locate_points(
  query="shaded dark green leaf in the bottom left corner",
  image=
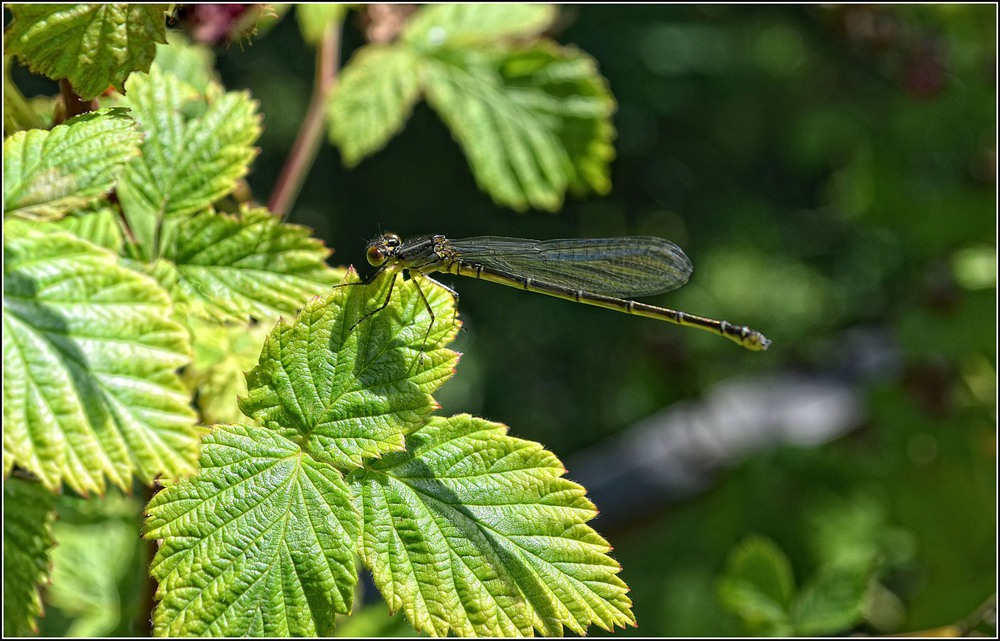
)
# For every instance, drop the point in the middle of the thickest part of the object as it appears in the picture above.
(29, 510)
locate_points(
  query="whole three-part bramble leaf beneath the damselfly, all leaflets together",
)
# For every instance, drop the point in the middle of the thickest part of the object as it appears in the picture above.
(468, 531)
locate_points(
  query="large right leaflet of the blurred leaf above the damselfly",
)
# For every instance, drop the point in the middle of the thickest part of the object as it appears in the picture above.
(533, 123)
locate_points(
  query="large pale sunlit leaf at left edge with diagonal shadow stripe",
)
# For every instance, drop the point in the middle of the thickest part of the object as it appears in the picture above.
(90, 357)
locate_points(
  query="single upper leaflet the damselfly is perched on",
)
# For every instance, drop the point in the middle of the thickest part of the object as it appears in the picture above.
(354, 387)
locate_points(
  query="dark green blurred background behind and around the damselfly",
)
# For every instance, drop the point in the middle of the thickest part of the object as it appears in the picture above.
(831, 172)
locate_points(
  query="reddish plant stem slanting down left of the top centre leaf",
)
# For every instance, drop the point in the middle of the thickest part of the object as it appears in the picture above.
(303, 153)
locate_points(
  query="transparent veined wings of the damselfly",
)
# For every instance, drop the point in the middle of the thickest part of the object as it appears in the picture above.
(621, 267)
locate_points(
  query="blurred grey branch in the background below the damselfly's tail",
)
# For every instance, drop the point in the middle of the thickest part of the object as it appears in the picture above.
(678, 452)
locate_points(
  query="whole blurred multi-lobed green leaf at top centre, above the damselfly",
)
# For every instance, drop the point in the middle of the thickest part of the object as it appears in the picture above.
(534, 119)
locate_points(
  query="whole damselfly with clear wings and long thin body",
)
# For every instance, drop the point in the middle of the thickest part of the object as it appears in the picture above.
(605, 272)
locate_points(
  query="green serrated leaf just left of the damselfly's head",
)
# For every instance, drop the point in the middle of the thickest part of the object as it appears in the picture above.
(251, 265)
